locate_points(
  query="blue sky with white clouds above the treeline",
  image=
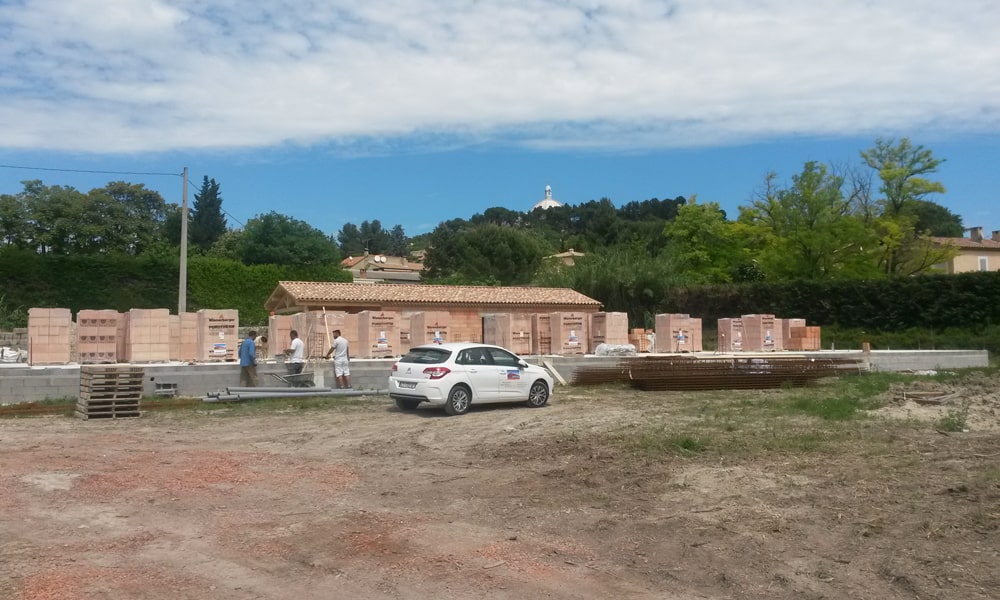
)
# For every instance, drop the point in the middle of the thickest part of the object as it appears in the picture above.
(420, 111)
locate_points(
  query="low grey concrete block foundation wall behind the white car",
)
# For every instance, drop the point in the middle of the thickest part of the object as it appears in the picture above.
(22, 383)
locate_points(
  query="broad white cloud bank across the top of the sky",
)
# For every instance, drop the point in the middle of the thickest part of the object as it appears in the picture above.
(141, 75)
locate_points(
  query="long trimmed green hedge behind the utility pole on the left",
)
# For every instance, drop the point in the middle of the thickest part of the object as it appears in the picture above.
(125, 282)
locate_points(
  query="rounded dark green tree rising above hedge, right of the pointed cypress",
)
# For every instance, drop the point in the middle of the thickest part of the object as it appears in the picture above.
(277, 239)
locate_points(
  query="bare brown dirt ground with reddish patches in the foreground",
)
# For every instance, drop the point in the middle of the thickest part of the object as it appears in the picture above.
(364, 501)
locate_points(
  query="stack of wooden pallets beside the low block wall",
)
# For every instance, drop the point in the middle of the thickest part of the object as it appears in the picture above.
(109, 392)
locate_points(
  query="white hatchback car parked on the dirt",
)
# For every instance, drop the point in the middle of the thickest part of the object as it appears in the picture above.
(457, 375)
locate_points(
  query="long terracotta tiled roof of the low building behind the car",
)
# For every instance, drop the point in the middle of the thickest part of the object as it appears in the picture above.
(307, 292)
